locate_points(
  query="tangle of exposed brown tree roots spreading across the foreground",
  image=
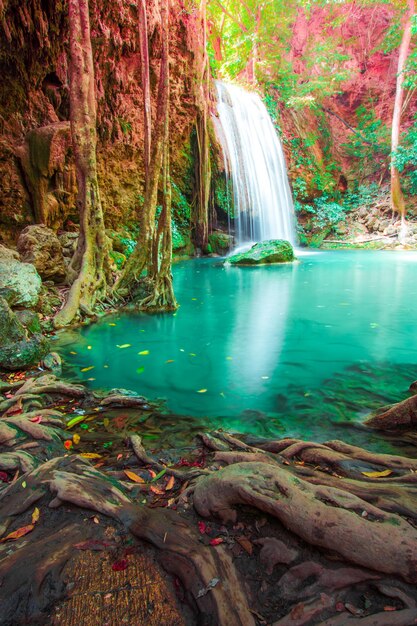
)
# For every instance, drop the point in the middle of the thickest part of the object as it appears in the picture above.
(338, 544)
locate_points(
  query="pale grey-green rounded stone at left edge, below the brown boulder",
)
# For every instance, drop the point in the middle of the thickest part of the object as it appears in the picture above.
(22, 283)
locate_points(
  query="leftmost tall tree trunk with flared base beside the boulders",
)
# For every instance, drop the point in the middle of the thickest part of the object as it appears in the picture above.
(89, 265)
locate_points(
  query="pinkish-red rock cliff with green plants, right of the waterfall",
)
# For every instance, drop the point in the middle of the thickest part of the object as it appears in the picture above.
(365, 97)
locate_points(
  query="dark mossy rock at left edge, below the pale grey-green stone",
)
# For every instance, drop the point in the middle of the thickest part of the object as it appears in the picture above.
(19, 349)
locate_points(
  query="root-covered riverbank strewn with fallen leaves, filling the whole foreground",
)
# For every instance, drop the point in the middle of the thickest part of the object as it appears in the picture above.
(232, 521)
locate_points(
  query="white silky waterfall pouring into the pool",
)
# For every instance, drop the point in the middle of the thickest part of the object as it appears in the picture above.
(255, 163)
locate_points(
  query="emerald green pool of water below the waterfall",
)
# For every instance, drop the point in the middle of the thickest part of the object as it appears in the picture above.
(282, 350)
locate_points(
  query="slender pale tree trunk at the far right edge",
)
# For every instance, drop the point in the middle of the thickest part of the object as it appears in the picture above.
(397, 198)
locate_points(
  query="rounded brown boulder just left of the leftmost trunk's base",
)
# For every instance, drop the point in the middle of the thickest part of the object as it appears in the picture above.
(40, 246)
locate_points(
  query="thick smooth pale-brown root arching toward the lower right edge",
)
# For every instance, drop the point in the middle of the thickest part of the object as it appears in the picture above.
(323, 516)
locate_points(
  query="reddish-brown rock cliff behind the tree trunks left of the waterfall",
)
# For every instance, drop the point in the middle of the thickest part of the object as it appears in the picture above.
(36, 168)
